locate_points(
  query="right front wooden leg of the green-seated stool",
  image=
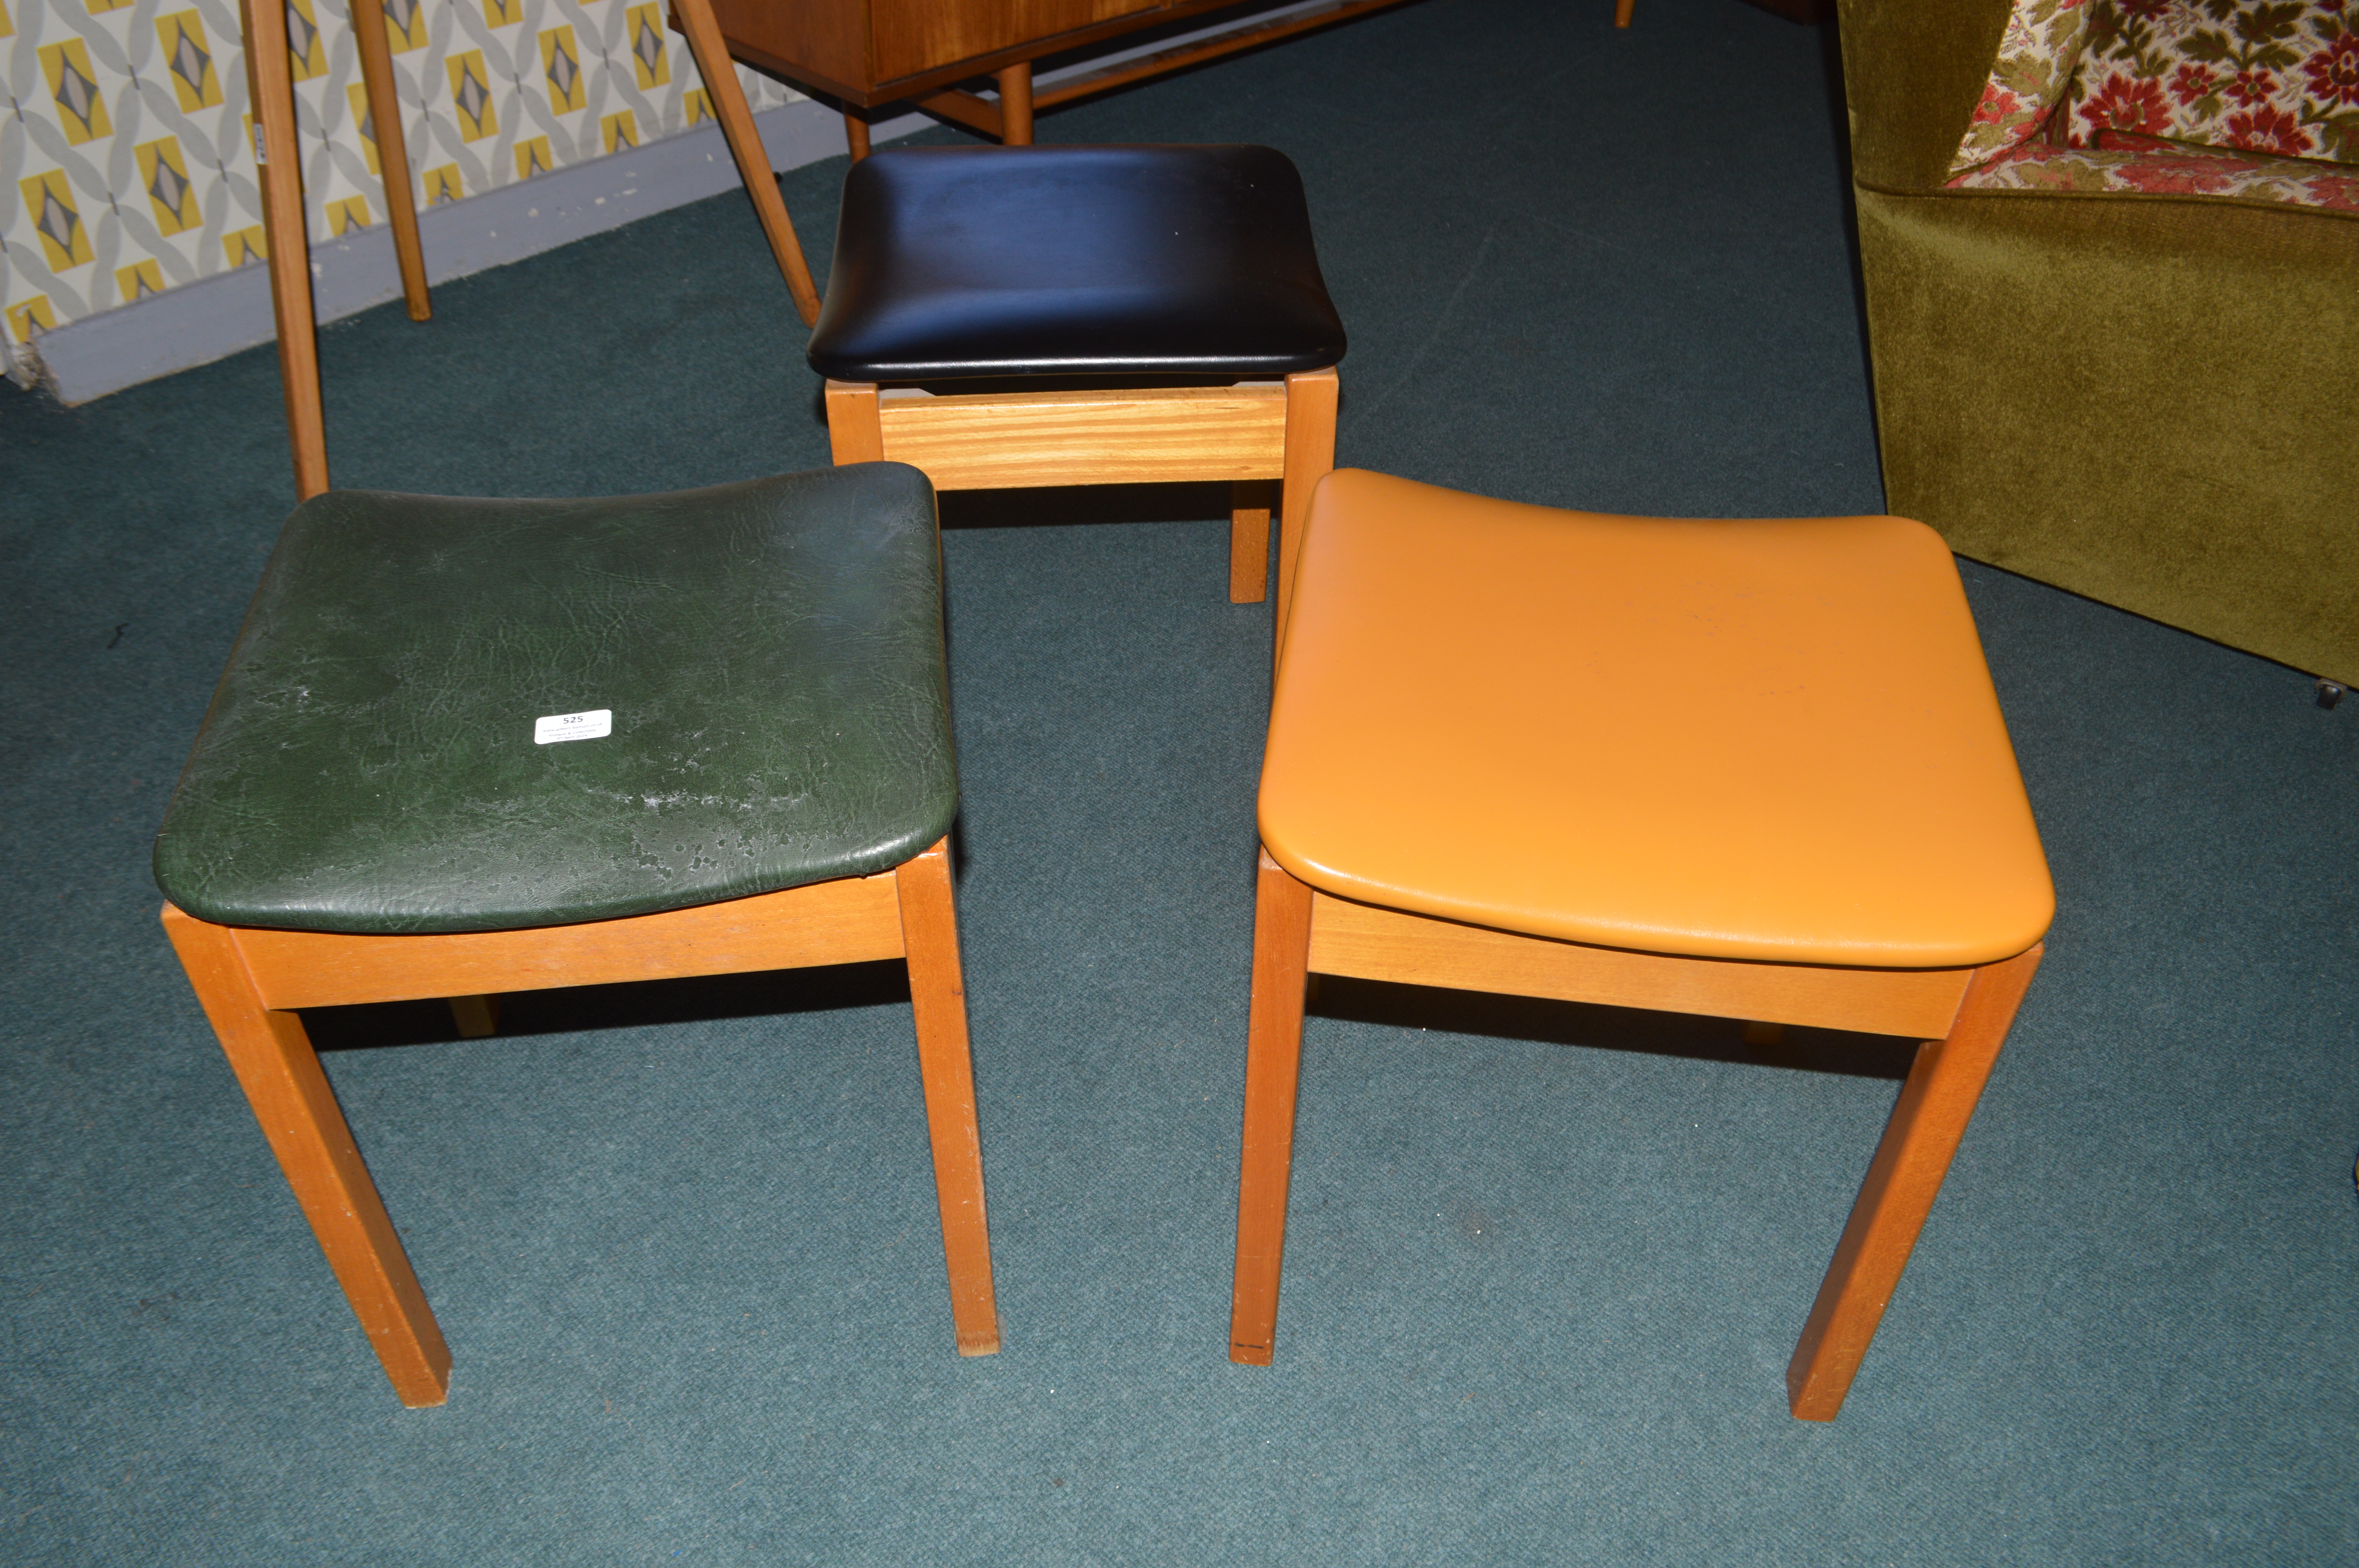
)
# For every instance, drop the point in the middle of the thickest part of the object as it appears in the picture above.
(940, 999)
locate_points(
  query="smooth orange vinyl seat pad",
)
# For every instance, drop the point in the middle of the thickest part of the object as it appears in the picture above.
(1716, 739)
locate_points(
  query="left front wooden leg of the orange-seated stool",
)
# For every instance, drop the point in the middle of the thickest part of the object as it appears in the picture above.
(1282, 949)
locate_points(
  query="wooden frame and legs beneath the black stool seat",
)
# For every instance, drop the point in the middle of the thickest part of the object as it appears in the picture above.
(1247, 435)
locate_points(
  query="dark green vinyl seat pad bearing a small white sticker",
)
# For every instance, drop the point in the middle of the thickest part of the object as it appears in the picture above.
(770, 654)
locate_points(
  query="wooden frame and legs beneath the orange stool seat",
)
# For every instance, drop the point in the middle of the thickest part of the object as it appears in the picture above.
(1962, 1017)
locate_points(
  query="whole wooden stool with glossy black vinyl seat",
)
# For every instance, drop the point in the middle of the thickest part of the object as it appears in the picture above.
(1016, 317)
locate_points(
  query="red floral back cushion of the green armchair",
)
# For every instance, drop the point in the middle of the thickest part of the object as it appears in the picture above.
(2273, 77)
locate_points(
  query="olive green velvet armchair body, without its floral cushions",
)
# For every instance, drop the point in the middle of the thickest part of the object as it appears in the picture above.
(2146, 397)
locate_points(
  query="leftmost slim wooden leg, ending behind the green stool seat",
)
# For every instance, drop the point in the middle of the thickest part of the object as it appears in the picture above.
(272, 88)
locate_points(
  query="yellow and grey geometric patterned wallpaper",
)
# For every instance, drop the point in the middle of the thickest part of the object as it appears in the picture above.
(129, 169)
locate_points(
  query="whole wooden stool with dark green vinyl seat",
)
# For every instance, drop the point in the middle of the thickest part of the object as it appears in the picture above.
(482, 746)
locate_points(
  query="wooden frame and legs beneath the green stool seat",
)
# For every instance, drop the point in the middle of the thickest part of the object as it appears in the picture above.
(251, 982)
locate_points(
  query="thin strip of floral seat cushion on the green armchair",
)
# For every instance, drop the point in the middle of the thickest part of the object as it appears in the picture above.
(2153, 166)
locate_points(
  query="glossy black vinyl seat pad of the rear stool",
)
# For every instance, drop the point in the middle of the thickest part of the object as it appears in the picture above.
(1075, 261)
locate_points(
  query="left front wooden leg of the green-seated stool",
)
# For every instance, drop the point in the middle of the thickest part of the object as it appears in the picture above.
(296, 1107)
